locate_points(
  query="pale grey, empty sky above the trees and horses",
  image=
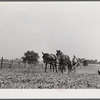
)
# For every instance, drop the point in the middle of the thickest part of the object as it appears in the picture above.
(72, 27)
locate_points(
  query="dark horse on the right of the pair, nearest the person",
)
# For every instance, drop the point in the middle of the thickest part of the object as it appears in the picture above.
(64, 60)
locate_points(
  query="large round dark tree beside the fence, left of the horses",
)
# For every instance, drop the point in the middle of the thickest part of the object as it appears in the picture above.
(30, 57)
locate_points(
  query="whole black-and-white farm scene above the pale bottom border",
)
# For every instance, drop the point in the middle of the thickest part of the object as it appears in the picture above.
(50, 45)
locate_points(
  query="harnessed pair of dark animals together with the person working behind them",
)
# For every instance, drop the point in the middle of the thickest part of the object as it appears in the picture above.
(59, 62)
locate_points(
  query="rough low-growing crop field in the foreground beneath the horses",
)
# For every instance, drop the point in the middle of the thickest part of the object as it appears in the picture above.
(34, 77)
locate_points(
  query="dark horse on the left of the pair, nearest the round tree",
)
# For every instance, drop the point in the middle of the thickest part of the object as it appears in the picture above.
(49, 59)
